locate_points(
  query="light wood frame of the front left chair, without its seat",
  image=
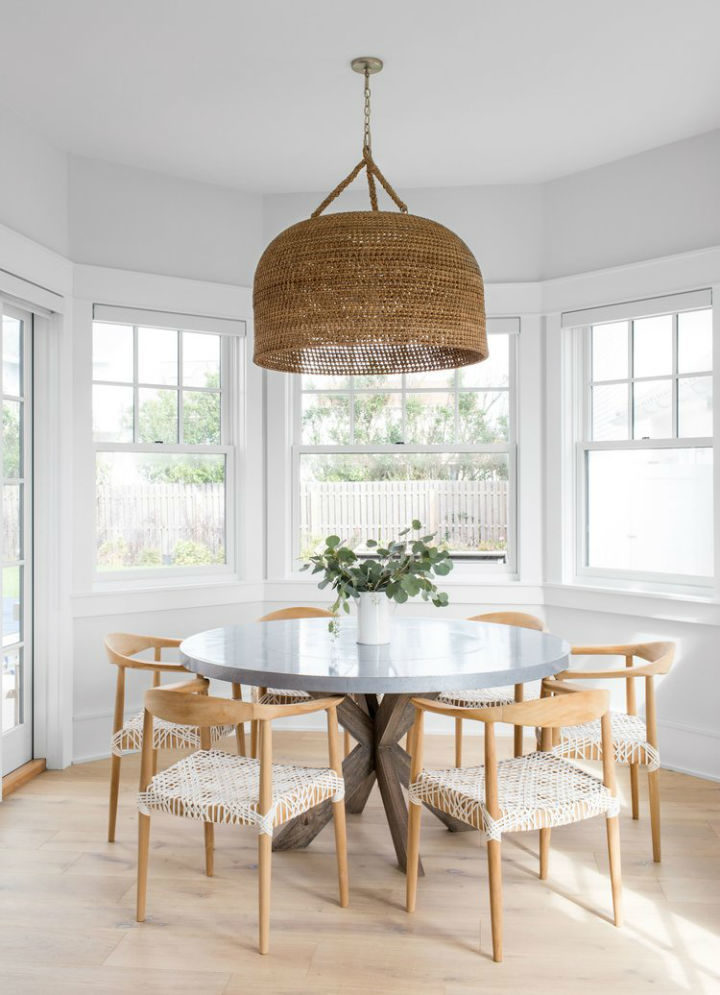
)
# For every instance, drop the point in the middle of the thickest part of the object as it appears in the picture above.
(189, 703)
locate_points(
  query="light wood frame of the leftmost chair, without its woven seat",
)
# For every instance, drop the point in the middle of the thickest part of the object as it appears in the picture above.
(122, 649)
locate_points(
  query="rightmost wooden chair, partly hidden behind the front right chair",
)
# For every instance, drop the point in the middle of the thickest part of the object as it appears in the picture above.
(635, 741)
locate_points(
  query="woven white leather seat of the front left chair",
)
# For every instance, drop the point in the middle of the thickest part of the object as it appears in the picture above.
(218, 787)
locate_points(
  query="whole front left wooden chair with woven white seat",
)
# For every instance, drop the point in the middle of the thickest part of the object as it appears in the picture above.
(217, 787)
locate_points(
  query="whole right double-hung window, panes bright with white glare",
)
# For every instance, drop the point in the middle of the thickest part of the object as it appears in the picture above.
(644, 455)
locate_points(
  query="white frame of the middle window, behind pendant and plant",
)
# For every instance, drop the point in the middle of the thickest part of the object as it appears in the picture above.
(479, 565)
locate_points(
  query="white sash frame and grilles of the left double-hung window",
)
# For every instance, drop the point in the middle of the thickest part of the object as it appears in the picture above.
(232, 349)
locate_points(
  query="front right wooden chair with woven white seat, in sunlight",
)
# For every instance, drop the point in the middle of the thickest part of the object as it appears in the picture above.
(530, 792)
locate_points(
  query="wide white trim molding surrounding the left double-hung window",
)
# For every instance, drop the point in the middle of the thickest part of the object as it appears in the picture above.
(169, 295)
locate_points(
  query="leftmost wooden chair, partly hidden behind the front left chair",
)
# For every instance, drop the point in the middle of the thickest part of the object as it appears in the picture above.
(122, 649)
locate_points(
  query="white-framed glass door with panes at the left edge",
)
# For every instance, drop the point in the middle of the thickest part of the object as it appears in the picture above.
(16, 702)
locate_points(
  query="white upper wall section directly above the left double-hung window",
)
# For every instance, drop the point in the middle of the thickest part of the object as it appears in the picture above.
(139, 220)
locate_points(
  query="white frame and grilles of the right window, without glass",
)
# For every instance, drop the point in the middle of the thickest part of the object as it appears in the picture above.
(584, 444)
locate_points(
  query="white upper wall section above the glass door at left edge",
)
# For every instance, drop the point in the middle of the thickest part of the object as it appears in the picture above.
(33, 185)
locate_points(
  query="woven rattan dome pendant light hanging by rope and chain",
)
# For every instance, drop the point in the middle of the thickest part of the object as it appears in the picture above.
(368, 292)
